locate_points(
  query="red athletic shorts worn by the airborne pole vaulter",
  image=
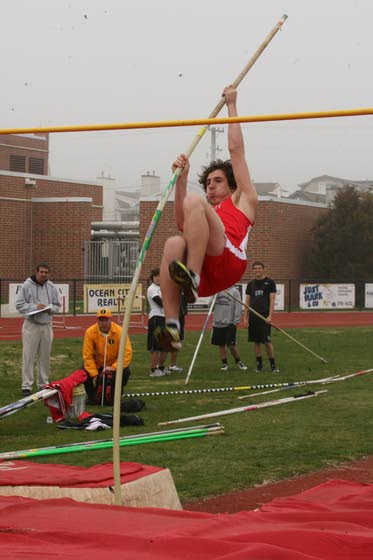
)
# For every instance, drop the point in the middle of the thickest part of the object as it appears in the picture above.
(221, 272)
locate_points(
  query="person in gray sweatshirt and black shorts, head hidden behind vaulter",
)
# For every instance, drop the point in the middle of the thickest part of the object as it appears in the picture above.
(227, 315)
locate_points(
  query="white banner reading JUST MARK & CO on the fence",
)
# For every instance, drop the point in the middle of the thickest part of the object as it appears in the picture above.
(326, 296)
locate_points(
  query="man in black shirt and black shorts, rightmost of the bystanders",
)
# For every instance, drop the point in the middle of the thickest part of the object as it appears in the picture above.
(260, 296)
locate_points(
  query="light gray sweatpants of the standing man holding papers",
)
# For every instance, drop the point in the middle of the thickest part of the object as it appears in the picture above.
(36, 340)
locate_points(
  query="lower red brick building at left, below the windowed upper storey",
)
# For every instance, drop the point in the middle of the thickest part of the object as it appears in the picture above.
(45, 218)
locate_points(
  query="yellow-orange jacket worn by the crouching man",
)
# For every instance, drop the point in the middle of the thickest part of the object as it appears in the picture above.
(94, 349)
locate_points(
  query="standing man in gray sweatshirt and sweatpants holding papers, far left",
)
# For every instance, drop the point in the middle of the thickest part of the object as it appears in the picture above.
(38, 300)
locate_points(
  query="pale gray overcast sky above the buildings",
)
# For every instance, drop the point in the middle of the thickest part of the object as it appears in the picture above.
(109, 61)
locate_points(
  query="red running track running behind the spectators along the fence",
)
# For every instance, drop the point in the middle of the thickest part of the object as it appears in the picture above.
(11, 328)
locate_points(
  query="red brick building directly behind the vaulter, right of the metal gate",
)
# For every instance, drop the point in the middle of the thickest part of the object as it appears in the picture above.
(281, 236)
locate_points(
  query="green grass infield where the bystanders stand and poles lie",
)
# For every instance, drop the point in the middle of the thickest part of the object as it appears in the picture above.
(259, 446)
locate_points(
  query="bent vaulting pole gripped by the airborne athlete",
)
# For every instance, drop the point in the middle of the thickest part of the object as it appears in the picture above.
(145, 247)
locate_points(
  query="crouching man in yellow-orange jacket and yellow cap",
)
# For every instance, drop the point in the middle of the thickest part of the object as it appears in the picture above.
(100, 357)
